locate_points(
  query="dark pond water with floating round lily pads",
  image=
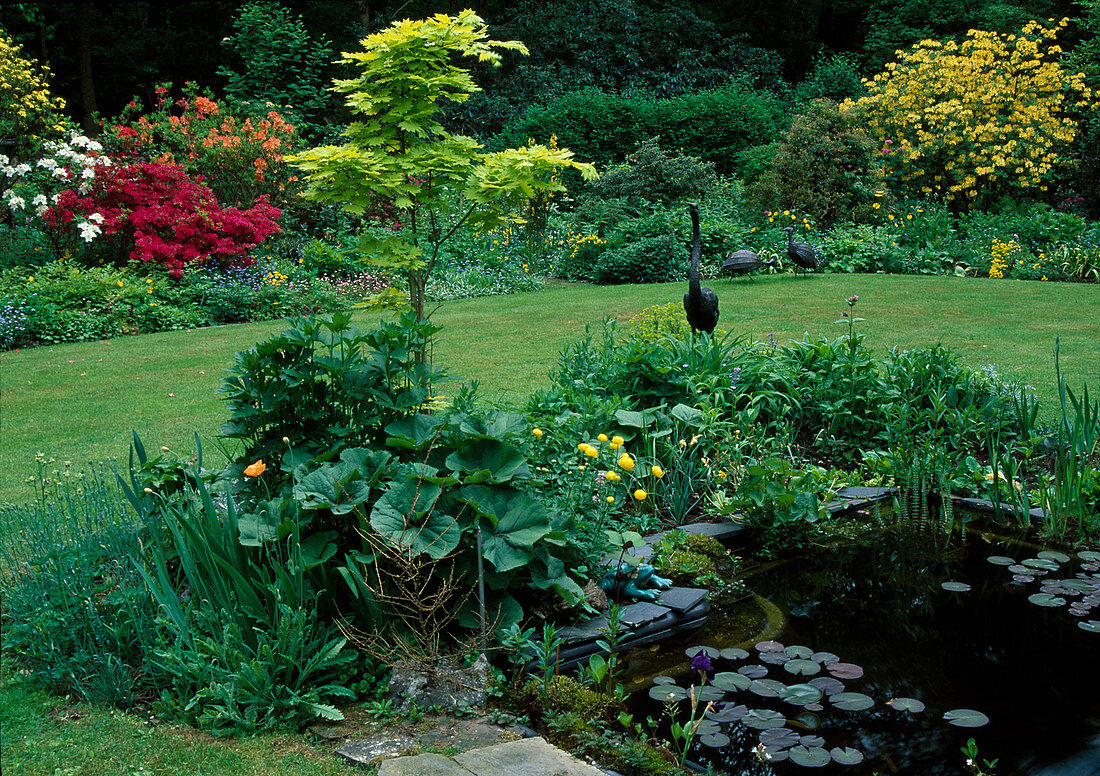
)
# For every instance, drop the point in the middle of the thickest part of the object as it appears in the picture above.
(882, 610)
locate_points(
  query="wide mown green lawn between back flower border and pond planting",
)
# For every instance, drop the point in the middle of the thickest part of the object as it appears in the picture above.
(79, 402)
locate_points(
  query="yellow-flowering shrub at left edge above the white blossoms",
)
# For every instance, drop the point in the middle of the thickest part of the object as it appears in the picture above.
(28, 112)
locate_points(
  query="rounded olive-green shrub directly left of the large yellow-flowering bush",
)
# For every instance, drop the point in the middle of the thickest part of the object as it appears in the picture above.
(827, 169)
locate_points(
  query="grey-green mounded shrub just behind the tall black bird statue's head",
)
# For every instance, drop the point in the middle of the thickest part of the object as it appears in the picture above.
(654, 176)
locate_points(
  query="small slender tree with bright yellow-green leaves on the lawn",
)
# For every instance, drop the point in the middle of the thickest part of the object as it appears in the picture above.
(400, 156)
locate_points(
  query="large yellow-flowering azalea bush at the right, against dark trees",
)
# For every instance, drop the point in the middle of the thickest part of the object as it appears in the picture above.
(975, 121)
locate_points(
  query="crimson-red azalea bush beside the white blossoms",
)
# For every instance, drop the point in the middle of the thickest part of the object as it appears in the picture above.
(164, 216)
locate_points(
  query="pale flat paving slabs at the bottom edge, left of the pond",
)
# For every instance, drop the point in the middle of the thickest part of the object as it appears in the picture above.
(527, 758)
